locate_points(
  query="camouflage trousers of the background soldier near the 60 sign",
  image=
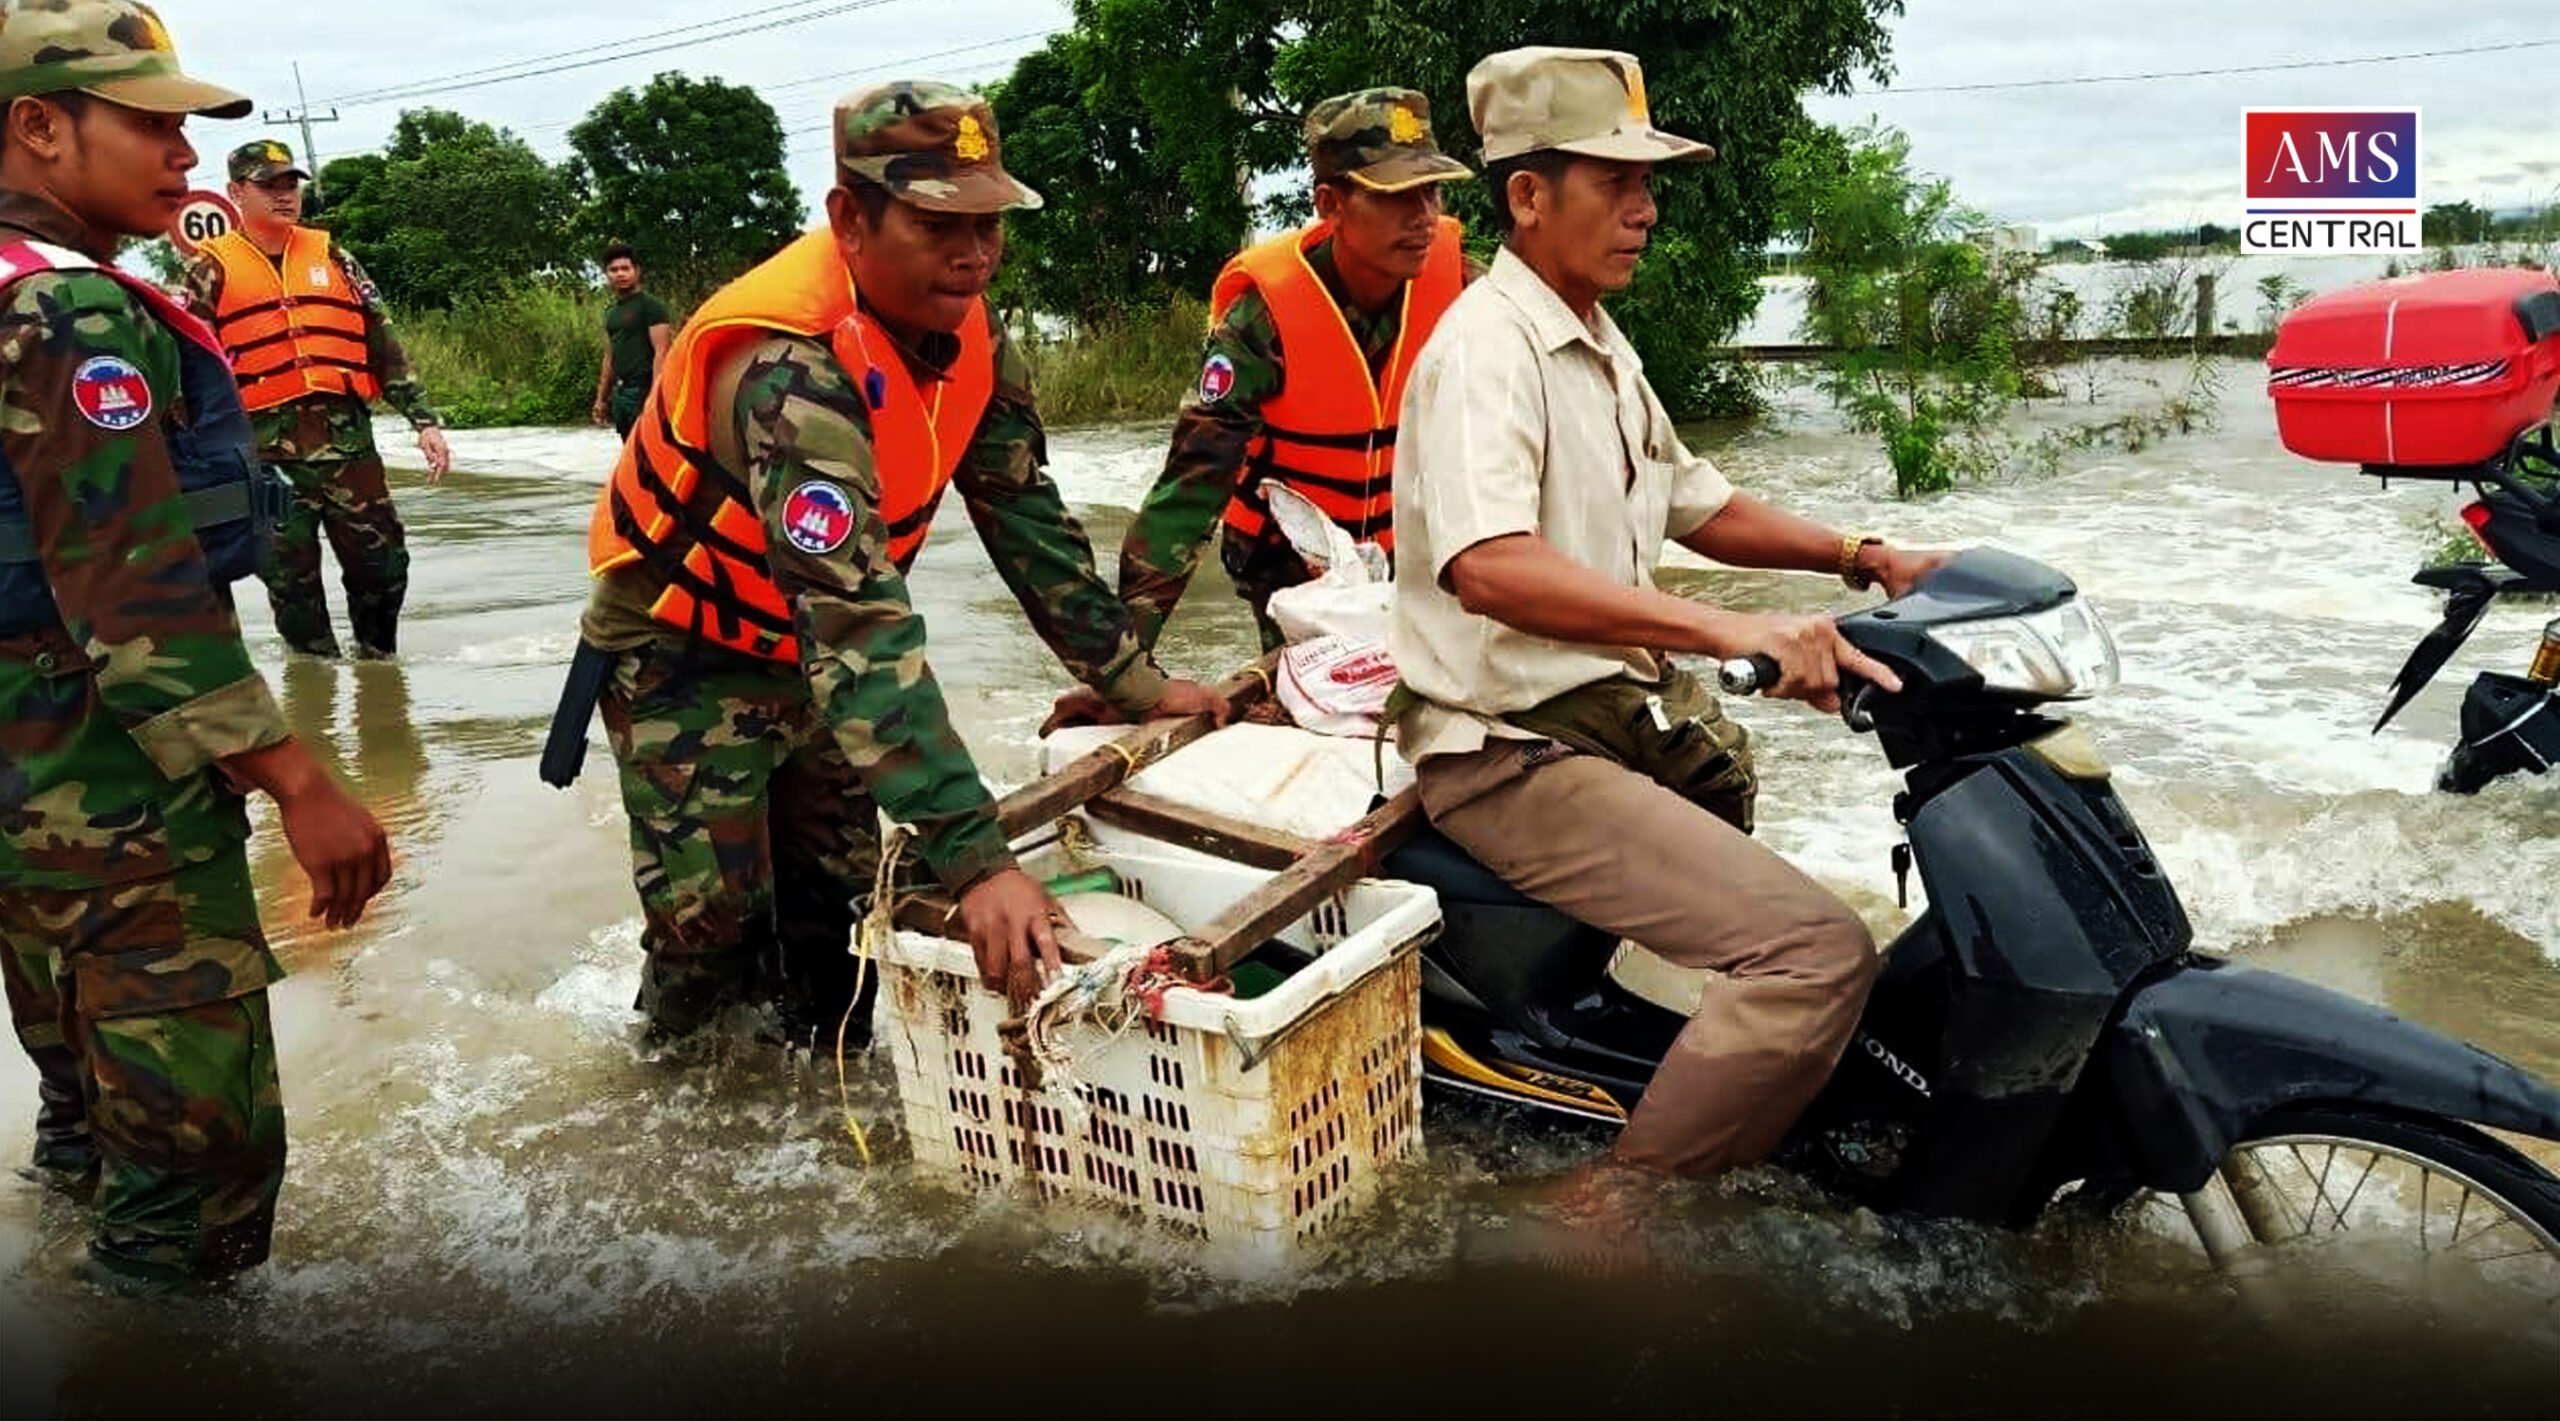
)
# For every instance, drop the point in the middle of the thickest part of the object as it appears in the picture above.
(349, 501)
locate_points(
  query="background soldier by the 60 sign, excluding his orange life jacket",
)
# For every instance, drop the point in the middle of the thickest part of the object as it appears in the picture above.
(324, 444)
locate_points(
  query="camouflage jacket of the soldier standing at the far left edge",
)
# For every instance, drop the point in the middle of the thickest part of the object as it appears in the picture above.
(111, 718)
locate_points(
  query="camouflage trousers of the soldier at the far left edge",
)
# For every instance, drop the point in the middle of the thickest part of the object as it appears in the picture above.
(152, 1066)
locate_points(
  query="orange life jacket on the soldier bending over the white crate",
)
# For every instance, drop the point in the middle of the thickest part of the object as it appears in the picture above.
(692, 524)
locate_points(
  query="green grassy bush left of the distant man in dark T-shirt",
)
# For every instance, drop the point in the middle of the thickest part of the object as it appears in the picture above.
(516, 357)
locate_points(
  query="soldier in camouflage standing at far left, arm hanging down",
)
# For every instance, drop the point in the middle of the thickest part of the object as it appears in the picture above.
(132, 718)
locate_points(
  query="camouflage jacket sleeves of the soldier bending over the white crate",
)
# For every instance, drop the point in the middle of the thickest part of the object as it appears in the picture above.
(803, 421)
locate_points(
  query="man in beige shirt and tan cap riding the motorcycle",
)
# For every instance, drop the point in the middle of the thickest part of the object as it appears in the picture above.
(1553, 739)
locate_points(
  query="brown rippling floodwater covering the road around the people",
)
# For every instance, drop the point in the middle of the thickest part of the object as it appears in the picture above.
(498, 1207)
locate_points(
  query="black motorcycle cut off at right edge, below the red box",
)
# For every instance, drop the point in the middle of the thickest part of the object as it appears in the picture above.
(2510, 723)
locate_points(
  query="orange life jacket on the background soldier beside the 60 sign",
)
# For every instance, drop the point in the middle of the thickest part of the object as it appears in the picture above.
(293, 329)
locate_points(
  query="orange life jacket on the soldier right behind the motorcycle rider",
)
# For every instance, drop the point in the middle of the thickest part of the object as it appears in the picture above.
(1330, 434)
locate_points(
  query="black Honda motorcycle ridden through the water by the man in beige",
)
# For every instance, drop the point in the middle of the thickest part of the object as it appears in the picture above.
(2044, 1028)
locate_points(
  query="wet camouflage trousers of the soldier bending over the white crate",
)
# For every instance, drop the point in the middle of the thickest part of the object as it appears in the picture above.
(751, 839)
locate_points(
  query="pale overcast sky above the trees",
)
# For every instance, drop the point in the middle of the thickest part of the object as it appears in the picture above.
(2070, 160)
